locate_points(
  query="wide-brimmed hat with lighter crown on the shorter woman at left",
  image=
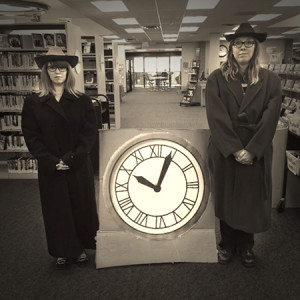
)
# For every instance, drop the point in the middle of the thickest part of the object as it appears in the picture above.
(56, 54)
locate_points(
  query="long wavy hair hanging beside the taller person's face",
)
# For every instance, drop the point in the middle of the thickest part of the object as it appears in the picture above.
(230, 68)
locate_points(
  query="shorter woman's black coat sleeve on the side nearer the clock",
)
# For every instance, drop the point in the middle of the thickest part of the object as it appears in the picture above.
(87, 136)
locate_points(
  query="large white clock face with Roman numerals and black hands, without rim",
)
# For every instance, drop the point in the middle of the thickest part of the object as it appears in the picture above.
(156, 186)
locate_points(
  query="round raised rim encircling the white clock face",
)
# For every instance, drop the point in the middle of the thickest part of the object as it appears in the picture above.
(136, 140)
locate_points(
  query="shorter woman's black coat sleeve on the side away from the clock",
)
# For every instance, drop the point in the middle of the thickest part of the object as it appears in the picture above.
(33, 137)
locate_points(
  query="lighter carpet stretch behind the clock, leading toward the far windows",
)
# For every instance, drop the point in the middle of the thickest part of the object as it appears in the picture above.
(144, 108)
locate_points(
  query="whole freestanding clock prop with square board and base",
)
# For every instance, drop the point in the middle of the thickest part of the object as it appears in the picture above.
(154, 203)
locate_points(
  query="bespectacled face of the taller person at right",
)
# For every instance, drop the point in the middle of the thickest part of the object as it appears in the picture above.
(243, 54)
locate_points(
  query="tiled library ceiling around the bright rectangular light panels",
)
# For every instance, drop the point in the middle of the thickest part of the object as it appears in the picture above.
(168, 15)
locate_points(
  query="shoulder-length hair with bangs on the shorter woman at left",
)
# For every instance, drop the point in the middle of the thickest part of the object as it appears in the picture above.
(46, 85)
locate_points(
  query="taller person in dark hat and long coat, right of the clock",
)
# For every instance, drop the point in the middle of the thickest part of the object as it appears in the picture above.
(243, 106)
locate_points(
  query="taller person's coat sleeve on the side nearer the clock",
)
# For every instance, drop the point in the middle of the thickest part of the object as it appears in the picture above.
(219, 121)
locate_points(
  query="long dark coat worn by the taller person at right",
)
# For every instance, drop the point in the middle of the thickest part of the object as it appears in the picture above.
(242, 193)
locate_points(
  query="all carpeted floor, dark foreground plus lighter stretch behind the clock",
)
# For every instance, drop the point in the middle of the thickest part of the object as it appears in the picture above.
(27, 271)
